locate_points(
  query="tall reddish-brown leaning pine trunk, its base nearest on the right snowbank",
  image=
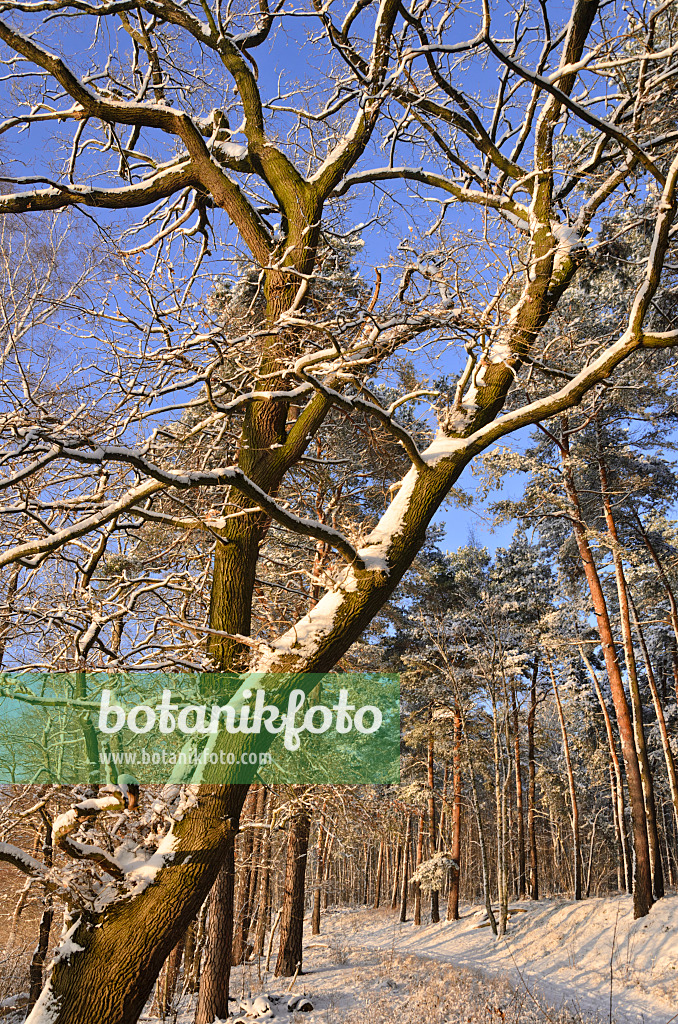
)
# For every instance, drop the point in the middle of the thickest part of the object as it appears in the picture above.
(643, 890)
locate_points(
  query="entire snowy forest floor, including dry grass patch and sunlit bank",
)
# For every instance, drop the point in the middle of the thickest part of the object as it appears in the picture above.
(555, 967)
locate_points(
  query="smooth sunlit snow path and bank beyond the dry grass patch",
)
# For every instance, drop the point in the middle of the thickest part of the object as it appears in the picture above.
(573, 956)
